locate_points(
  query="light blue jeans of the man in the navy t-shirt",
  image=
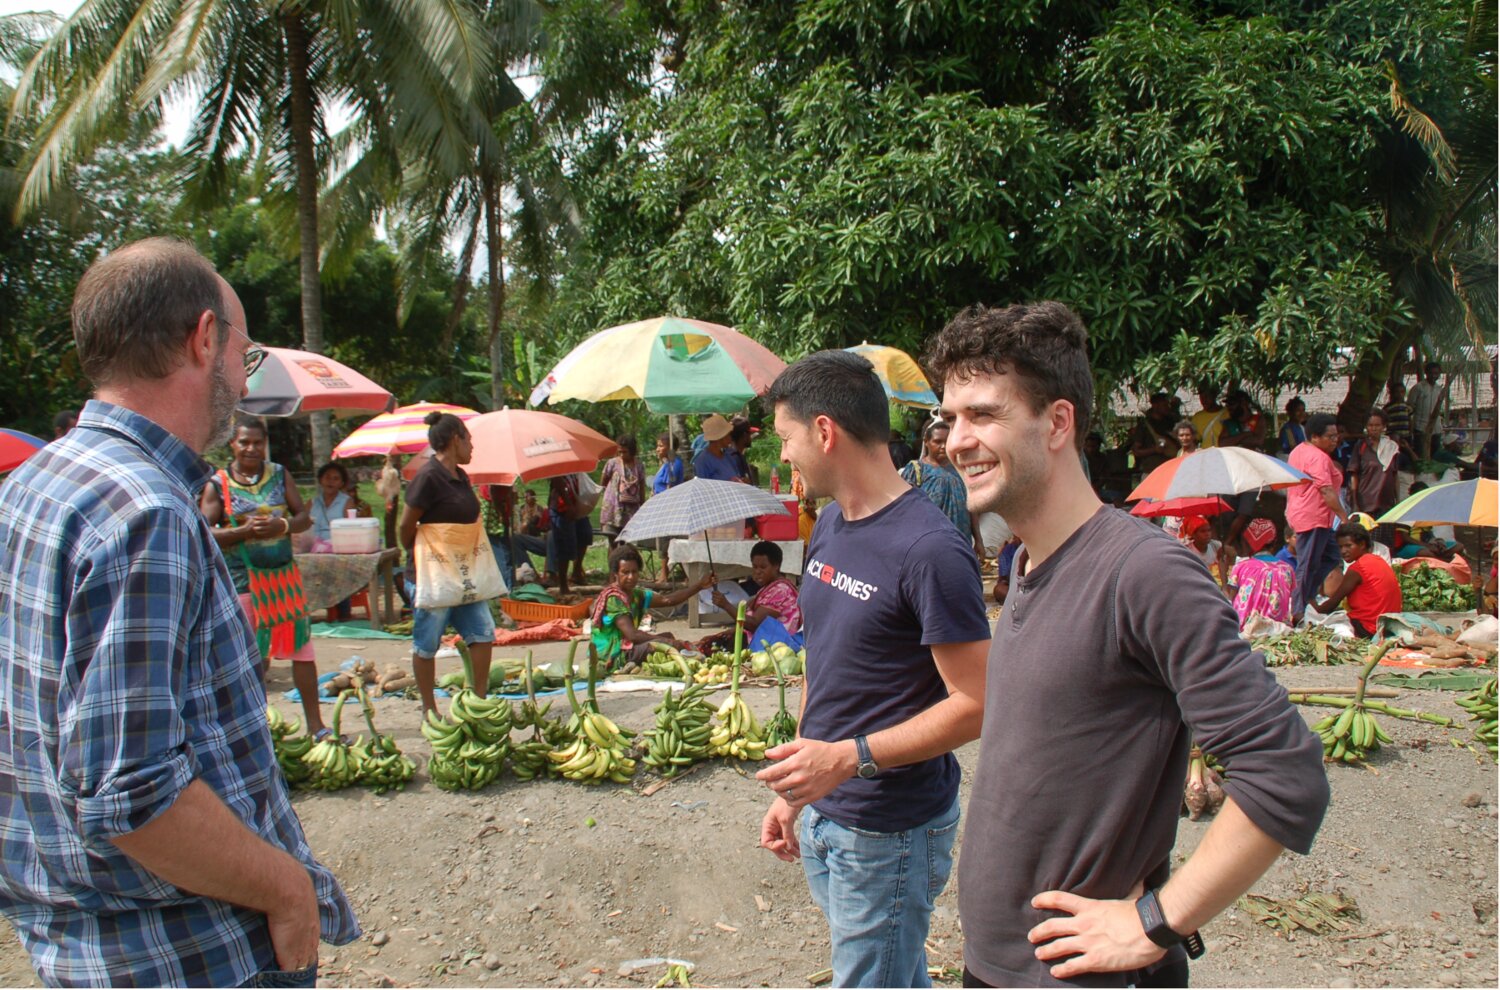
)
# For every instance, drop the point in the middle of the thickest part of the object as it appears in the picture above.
(877, 890)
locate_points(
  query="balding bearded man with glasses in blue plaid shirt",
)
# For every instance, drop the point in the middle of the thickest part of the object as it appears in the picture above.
(146, 835)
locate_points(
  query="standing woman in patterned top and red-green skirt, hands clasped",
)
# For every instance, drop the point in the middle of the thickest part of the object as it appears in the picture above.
(256, 512)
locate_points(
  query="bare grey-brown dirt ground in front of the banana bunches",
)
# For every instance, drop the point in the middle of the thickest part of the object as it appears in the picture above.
(514, 887)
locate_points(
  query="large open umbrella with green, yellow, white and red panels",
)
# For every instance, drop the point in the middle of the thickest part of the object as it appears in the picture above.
(676, 365)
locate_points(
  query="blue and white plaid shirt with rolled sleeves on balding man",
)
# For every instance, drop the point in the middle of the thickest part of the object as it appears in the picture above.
(127, 671)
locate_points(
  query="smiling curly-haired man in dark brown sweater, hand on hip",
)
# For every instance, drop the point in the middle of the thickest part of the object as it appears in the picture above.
(1097, 686)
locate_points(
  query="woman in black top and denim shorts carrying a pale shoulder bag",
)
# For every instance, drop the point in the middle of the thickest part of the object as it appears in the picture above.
(452, 566)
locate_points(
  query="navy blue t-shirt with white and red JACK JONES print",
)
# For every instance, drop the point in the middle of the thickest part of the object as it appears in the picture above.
(877, 595)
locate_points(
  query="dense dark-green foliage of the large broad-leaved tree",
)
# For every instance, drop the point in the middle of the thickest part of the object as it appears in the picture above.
(1202, 181)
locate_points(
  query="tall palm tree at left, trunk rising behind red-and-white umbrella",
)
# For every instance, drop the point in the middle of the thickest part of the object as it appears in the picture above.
(265, 74)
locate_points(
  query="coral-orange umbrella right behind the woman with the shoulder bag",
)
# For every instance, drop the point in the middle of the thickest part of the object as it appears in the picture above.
(527, 445)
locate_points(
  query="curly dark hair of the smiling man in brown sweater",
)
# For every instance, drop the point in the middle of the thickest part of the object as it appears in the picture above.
(1045, 346)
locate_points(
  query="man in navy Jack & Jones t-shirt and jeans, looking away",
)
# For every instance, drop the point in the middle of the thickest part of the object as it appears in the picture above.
(896, 646)
